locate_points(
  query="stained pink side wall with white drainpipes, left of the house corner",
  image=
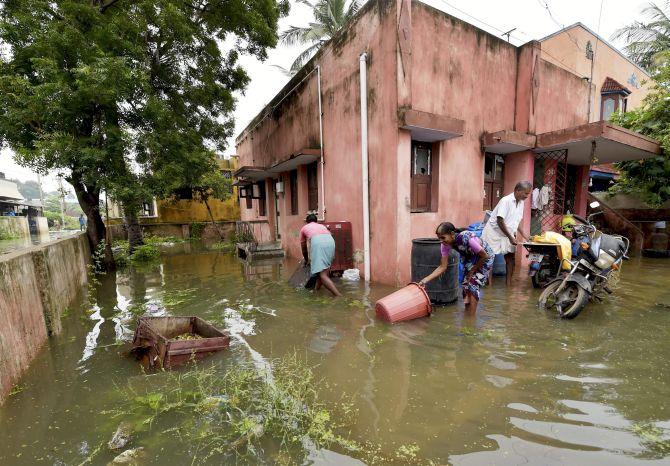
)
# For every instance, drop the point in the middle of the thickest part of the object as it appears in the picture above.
(294, 125)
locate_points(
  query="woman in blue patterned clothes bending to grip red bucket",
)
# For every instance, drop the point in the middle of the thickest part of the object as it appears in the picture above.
(477, 258)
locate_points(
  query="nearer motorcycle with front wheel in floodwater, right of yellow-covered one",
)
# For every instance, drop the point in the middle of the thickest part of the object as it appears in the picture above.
(596, 257)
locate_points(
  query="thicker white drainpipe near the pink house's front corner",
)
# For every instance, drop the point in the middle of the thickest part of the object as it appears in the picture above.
(364, 163)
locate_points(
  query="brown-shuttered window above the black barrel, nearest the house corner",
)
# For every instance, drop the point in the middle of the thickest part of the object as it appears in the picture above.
(424, 176)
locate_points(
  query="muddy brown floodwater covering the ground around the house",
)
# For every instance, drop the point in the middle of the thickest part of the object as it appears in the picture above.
(509, 386)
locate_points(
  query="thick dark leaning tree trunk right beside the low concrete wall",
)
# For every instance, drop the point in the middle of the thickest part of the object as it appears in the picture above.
(89, 200)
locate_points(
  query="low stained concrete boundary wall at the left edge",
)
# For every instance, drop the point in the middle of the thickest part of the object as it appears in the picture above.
(37, 285)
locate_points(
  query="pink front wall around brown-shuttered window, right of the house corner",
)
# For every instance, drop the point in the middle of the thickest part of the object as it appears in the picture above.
(456, 79)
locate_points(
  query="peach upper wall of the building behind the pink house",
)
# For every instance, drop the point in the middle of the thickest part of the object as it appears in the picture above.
(567, 50)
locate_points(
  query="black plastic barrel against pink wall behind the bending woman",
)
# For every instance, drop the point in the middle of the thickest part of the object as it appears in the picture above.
(426, 257)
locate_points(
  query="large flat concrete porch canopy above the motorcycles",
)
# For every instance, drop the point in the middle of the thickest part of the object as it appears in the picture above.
(599, 142)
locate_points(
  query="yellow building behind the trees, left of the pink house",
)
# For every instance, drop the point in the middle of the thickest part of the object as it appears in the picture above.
(170, 216)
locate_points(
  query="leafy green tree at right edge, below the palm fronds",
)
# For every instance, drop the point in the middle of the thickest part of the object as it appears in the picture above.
(650, 178)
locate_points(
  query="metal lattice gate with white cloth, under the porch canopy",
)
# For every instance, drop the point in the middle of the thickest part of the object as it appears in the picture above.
(550, 175)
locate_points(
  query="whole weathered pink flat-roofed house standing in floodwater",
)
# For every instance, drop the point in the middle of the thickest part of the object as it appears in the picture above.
(450, 119)
